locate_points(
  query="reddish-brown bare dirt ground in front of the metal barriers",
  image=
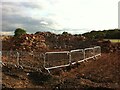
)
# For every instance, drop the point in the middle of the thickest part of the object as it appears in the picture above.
(100, 74)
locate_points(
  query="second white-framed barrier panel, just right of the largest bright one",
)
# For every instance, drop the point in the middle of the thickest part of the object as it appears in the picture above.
(76, 55)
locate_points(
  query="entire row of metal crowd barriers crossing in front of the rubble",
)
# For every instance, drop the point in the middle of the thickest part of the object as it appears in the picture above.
(48, 60)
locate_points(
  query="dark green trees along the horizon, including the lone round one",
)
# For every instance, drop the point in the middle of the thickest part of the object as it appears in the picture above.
(105, 34)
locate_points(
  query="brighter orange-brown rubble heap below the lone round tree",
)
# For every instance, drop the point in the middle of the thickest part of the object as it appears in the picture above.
(27, 42)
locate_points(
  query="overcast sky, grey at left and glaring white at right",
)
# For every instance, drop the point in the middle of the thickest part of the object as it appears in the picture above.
(73, 16)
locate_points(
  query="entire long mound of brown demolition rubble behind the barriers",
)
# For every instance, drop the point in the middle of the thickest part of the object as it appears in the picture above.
(44, 41)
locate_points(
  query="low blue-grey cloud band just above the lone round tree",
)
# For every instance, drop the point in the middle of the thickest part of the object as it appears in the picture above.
(10, 23)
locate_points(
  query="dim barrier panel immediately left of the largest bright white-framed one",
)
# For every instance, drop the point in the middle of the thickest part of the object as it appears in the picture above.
(31, 59)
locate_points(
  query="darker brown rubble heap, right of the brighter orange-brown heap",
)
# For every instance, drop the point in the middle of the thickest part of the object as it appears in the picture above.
(61, 41)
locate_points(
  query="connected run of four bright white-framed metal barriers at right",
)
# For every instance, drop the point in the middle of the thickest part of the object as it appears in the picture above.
(65, 58)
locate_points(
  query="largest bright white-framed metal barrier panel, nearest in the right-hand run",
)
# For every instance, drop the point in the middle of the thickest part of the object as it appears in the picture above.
(56, 59)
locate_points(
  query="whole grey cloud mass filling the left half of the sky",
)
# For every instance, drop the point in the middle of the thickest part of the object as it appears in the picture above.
(17, 14)
